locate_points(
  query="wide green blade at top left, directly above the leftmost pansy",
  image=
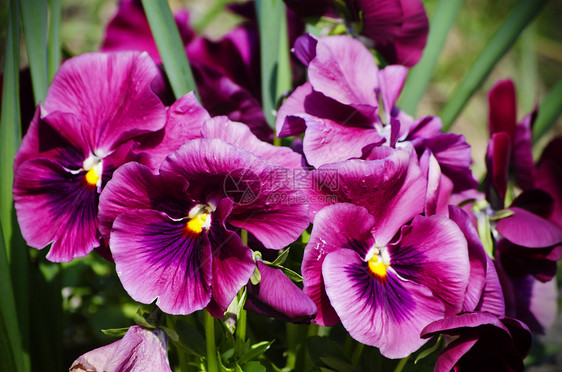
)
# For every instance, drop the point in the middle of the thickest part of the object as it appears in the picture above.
(34, 17)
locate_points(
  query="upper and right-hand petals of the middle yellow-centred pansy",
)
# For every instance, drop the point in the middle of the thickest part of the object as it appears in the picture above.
(273, 212)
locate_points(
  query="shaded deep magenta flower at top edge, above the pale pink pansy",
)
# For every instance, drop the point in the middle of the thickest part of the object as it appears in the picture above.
(396, 28)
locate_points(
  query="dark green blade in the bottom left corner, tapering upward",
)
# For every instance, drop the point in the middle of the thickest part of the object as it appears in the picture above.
(10, 342)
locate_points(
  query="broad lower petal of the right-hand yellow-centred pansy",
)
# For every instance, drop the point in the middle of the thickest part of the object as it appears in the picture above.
(388, 314)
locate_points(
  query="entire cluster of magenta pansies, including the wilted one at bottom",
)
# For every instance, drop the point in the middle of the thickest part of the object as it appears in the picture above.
(189, 197)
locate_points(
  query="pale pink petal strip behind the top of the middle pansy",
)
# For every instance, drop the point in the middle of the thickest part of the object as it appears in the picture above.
(240, 135)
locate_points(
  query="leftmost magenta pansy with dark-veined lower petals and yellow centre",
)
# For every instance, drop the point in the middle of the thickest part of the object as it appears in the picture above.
(97, 108)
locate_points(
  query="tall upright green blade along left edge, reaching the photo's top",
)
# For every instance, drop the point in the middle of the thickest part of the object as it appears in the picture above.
(10, 130)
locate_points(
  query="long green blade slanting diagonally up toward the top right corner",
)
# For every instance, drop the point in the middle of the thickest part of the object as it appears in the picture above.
(515, 22)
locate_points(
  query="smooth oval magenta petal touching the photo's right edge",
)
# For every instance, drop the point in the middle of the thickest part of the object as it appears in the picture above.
(529, 230)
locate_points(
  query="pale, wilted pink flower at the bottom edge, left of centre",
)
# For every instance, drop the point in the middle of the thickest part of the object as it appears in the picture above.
(139, 350)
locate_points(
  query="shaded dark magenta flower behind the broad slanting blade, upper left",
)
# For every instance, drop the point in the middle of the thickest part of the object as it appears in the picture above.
(224, 70)
